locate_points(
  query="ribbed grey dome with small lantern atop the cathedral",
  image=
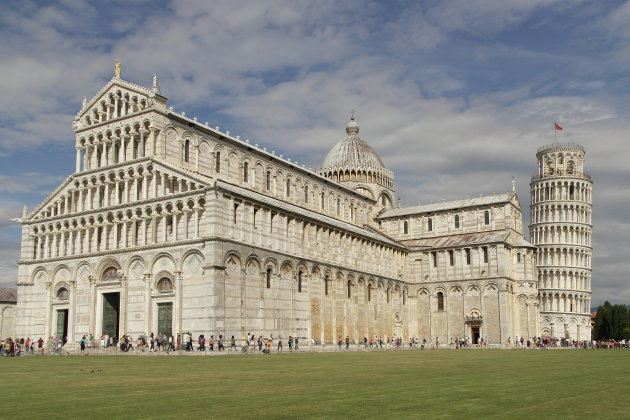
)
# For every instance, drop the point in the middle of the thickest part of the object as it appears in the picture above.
(352, 152)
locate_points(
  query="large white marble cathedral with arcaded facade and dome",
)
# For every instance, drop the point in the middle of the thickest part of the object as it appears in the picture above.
(169, 225)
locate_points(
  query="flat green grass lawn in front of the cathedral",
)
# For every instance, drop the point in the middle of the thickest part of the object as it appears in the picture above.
(406, 384)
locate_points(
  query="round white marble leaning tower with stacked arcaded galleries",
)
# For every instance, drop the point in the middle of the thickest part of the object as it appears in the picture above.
(561, 229)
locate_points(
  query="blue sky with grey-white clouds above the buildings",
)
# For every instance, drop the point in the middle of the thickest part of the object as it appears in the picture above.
(455, 96)
